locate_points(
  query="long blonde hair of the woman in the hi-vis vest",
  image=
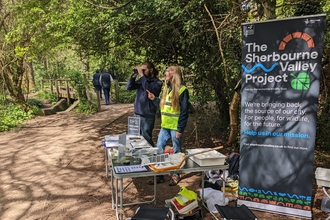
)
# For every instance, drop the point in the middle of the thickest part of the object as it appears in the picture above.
(176, 84)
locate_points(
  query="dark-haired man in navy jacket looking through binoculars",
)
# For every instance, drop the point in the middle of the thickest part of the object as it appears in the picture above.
(143, 106)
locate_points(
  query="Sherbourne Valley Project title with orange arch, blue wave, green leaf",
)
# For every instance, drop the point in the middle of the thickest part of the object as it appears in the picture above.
(294, 67)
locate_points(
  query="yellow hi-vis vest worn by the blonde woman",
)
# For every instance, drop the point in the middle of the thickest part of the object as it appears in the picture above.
(170, 118)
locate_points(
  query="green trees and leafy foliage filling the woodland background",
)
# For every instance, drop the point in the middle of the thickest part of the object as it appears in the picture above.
(68, 39)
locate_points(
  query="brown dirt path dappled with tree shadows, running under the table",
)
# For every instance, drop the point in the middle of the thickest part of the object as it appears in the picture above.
(53, 168)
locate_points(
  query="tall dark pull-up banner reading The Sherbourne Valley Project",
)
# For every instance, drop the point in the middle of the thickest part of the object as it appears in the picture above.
(281, 70)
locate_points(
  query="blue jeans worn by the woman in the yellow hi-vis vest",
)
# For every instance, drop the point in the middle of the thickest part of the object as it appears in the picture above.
(165, 135)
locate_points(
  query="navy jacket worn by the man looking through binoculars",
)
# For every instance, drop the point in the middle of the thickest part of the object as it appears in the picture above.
(143, 105)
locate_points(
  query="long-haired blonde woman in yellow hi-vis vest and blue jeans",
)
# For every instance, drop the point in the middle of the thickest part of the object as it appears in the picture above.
(174, 114)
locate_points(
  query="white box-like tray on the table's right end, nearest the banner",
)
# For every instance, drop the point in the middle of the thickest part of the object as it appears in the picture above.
(209, 158)
